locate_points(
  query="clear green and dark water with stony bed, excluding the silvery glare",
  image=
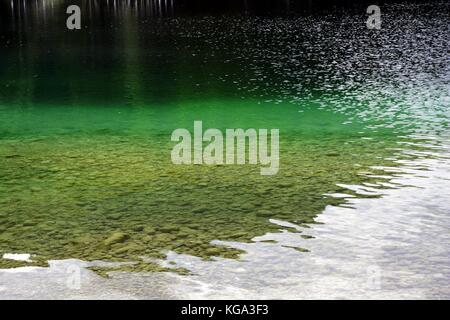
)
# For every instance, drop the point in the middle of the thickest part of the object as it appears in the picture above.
(86, 119)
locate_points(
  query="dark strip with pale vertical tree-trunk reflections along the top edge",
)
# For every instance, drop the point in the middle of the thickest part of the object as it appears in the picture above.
(16, 9)
